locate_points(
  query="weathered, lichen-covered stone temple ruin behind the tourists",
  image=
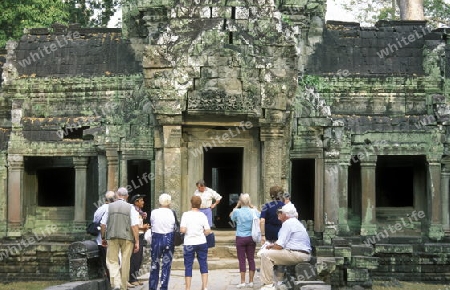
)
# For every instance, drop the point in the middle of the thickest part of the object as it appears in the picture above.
(352, 121)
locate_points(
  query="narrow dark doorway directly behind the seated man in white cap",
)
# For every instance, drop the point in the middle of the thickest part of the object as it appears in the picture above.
(302, 187)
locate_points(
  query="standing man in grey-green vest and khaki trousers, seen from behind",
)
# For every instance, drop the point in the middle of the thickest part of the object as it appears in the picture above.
(120, 231)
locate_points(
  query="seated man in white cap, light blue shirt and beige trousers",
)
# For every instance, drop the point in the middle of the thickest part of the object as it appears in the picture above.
(292, 247)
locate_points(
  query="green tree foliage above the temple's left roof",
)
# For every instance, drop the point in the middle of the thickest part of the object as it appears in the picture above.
(19, 14)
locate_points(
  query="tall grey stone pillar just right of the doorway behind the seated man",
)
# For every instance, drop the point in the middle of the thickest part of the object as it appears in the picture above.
(331, 199)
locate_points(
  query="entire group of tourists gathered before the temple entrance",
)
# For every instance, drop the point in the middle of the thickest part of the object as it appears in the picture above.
(284, 240)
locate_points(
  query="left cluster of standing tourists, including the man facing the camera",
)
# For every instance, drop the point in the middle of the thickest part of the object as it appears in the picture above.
(121, 238)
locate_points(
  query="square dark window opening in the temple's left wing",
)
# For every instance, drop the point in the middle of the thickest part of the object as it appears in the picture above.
(56, 186)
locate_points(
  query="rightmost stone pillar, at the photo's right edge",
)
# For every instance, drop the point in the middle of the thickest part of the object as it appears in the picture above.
(435, 201)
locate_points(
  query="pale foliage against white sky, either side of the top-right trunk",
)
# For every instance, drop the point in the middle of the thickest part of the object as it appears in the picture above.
(437, 12)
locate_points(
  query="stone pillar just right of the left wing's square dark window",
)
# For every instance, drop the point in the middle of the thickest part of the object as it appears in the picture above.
(80, 164)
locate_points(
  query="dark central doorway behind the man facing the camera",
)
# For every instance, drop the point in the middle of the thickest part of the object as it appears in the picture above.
(223, 173)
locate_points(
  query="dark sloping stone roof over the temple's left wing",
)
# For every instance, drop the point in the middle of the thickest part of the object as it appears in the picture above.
(73, 51)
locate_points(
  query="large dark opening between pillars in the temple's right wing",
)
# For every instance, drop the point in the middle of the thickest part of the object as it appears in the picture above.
(395, 176)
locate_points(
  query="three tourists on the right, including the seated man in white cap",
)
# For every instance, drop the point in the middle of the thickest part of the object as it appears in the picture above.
(284, 239)
